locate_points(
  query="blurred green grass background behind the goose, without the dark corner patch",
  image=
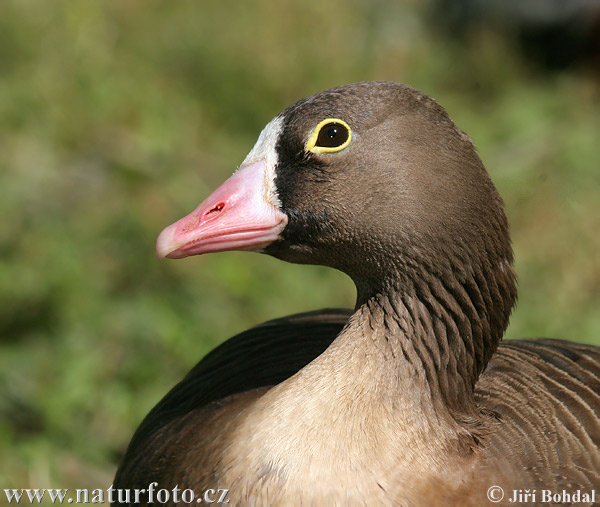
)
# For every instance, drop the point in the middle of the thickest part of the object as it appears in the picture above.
(116, 118)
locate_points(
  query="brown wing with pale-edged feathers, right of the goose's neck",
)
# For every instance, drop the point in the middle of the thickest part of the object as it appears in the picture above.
(547, 393)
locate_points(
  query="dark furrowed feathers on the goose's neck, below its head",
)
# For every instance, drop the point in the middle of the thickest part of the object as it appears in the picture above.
(441, 328)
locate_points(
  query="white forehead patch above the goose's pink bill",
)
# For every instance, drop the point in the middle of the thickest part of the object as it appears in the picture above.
(264, 149)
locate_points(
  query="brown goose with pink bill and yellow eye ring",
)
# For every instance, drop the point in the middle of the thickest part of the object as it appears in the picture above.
(409, 398)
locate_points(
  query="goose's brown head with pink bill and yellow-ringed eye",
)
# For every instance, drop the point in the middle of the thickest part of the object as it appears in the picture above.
(375, 180)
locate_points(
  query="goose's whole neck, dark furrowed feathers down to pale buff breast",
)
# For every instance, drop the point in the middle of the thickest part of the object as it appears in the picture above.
(396, 384)
